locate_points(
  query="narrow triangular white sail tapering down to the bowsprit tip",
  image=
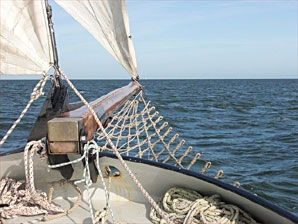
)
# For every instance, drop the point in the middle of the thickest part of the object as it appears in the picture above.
(107, 21)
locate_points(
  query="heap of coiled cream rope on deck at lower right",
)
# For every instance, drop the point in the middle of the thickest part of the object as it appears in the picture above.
(188, 206)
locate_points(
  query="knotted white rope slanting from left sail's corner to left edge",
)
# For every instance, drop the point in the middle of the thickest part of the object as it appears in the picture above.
(36, 93)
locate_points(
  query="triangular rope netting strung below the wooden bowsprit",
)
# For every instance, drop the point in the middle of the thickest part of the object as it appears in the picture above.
(138, 130)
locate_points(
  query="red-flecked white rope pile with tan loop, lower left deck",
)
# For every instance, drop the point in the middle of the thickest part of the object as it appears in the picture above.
(31, 202)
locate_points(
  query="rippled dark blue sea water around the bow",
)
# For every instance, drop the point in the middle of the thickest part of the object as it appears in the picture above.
(248, 128)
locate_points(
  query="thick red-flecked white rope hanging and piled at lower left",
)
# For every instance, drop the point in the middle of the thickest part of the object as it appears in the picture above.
(28, 202)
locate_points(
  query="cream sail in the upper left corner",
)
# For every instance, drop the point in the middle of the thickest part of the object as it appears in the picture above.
(25, 44)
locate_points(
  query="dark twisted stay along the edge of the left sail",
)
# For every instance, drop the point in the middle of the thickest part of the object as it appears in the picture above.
(53, 41)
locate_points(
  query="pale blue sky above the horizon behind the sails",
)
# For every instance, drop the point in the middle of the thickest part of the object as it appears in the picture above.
(190, 39)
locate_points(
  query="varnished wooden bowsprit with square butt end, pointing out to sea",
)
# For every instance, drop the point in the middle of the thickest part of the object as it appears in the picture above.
(69, 129)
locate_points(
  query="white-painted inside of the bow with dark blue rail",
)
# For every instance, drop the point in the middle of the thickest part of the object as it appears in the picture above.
(127, 202)
